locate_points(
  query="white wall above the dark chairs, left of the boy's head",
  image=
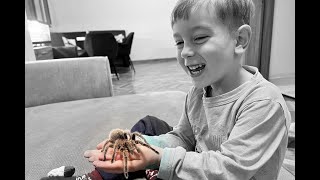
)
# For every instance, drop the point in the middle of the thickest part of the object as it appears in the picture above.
(149, 19)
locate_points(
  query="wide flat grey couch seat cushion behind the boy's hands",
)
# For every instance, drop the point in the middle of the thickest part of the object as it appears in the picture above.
(58, 134)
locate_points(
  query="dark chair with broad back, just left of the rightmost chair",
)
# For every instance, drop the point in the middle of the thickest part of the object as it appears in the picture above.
(102, 44)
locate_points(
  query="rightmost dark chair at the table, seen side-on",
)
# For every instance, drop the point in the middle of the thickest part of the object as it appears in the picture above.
(125, 50)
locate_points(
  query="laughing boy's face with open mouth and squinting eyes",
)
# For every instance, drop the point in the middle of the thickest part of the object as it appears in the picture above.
(205, 48)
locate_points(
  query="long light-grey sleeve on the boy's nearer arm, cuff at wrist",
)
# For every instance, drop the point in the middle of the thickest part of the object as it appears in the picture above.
(253, 148)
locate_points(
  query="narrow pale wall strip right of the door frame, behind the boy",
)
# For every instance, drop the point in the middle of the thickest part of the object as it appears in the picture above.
(282, 59)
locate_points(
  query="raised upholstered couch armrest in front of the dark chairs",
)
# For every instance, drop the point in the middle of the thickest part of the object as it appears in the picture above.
(59, 80)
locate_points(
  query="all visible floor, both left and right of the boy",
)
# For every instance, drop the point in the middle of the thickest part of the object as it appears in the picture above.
(167, 75)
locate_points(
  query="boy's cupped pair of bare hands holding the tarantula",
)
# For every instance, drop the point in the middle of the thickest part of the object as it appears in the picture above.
(137, 161)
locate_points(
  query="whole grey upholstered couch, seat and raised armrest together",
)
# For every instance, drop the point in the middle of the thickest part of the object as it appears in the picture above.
(70, 108)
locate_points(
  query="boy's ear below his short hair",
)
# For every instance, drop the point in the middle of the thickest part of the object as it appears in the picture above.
(242, 37)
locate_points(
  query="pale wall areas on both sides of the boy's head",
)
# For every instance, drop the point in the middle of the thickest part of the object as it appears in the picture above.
(150, 21)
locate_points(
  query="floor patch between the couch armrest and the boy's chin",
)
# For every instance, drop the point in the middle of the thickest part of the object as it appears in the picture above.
(151, 76)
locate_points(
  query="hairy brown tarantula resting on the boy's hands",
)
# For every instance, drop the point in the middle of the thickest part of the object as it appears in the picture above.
(126, 142)
